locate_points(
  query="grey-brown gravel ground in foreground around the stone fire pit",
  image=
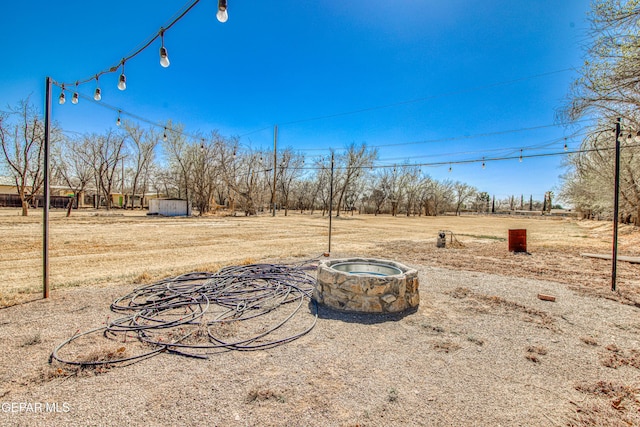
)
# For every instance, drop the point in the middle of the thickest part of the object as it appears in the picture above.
(482, 349)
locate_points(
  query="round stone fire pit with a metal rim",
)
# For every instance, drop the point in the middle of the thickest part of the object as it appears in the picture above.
(367, 285)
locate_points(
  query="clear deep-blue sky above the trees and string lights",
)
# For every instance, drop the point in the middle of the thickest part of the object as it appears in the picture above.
(469, 68)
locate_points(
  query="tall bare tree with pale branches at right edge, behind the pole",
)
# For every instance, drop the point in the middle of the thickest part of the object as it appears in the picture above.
(608, 88)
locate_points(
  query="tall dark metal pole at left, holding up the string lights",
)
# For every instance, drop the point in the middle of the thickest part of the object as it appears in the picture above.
(45, 210)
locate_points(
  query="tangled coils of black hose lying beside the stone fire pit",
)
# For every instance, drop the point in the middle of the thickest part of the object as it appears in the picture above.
(240, 308)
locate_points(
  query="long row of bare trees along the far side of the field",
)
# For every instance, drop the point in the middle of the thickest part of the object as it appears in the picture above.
(212, 172)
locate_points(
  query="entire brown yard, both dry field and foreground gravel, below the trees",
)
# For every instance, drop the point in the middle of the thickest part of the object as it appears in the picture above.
(481, 349)
